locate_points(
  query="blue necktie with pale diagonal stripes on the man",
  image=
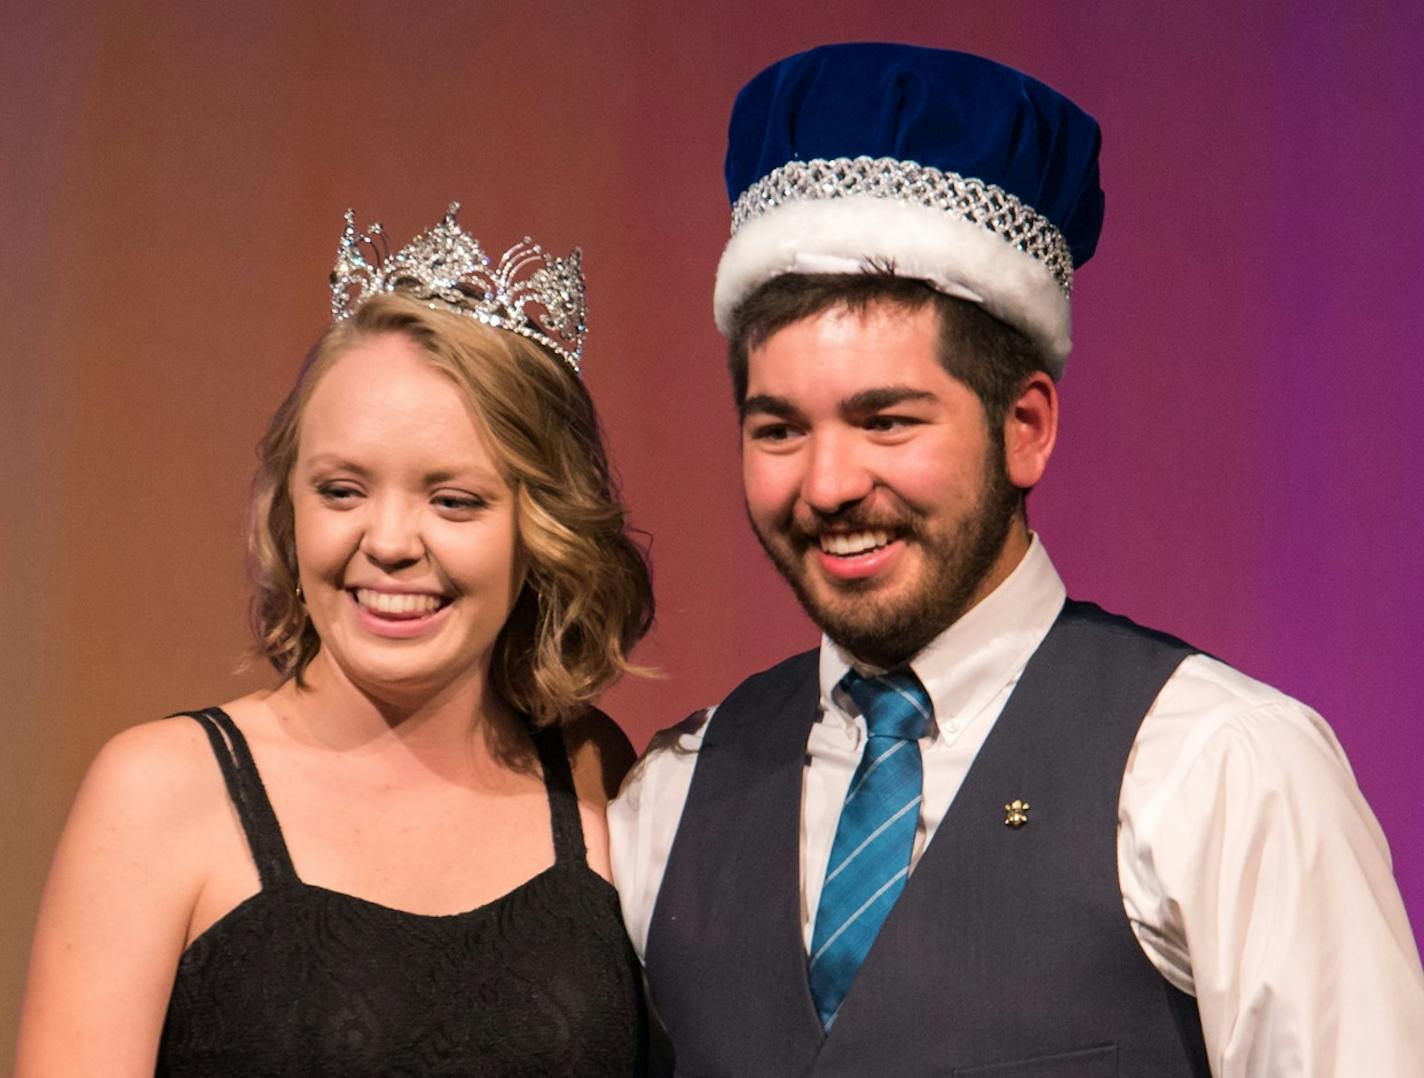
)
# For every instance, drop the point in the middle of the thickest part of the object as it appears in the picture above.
(871, 857)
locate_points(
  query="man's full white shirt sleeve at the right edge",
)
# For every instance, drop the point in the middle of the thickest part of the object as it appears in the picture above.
(1258, 879)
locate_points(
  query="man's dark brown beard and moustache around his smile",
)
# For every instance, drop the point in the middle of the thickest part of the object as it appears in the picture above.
(889, 630)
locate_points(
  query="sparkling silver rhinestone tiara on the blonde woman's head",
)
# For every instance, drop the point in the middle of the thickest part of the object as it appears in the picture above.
(530, 293)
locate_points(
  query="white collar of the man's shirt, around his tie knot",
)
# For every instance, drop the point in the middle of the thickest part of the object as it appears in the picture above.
(970, 663)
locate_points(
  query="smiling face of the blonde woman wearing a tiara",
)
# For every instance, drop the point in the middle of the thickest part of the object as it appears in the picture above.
(407, 532)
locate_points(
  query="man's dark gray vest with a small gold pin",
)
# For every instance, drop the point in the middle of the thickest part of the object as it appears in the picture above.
(1007, 956)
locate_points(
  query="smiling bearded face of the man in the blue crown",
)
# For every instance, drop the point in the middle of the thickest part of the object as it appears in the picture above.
(874, 481)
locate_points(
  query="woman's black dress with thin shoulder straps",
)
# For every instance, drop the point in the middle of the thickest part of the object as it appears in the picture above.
(301, 980)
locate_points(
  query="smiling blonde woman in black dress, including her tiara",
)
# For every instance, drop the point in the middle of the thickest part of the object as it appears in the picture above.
(398, 864)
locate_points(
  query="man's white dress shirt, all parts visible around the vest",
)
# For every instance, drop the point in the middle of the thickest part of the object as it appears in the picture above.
(1252, 871)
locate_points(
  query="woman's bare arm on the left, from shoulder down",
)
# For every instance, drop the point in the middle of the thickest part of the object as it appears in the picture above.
(116, 908)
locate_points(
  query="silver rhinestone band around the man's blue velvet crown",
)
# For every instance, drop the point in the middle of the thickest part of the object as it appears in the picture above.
(906, 182)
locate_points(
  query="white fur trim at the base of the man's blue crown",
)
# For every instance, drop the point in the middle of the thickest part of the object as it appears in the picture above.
(859, 233)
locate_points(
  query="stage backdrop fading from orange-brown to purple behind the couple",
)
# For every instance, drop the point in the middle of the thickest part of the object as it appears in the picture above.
(1241, 415)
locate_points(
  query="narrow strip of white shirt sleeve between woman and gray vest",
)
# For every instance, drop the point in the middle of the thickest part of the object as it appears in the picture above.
(643, 821)
